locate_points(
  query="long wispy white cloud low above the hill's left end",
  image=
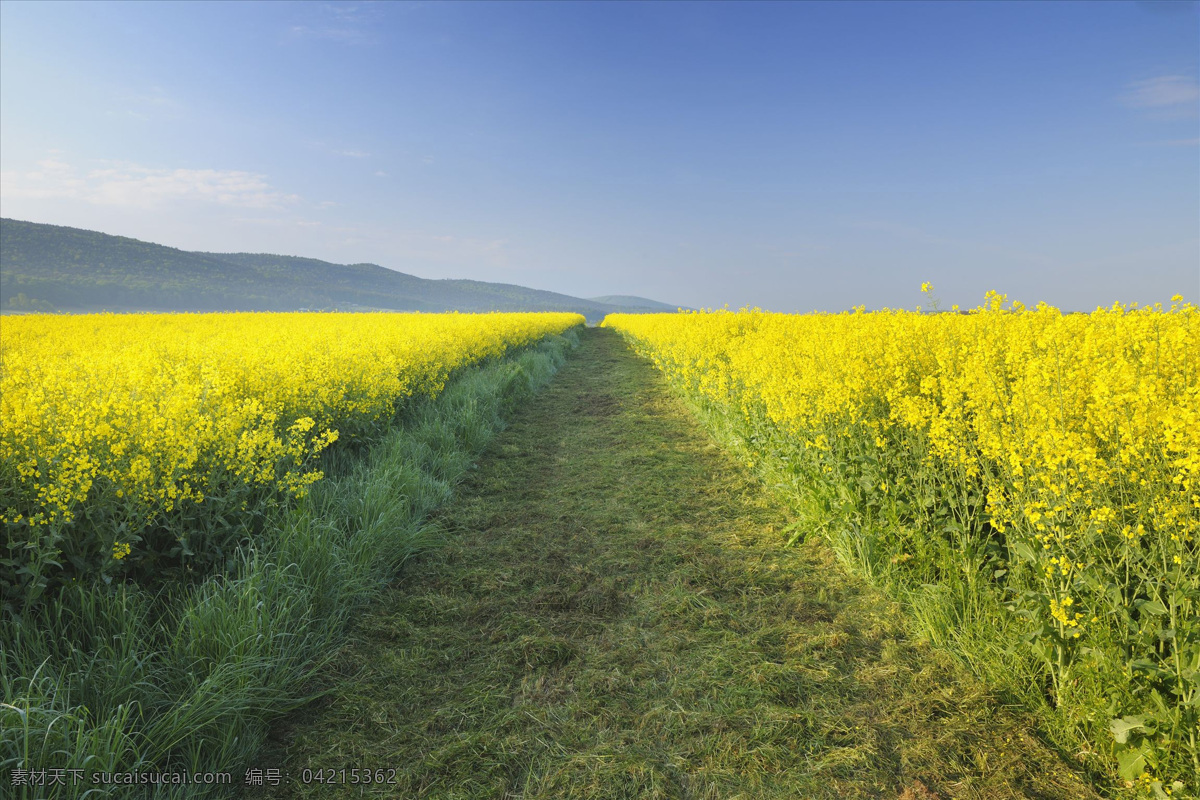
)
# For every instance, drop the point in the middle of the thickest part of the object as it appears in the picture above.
(146, 188)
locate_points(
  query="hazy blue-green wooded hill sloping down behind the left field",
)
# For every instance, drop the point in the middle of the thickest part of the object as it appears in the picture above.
(52, 268)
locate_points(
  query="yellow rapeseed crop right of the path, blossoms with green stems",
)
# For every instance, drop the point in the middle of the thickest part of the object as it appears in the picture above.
(1065, 446)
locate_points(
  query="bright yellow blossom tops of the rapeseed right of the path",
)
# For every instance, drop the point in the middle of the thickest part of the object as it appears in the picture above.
(1079, 424)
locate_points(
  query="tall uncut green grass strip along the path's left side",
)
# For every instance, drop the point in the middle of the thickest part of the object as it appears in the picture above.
(124, 679)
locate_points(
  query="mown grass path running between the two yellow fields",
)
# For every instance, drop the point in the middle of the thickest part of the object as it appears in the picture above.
(613, 616)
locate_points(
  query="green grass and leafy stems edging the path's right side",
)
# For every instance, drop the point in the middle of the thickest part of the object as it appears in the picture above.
(945, 584)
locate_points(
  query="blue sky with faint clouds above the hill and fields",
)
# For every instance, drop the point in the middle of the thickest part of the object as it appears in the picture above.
(791, 157)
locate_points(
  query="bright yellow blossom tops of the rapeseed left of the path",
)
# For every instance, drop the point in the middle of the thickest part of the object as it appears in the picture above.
(158, 411)
